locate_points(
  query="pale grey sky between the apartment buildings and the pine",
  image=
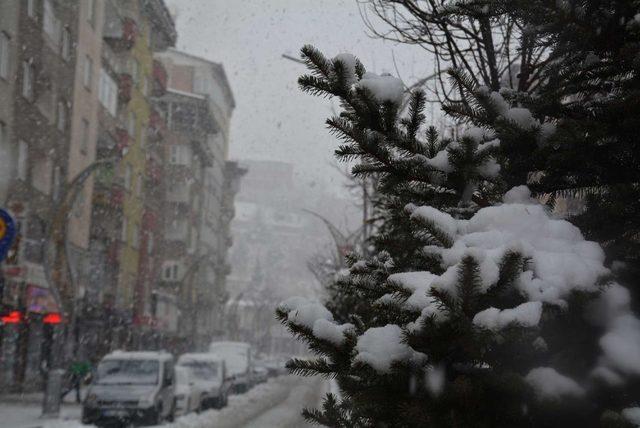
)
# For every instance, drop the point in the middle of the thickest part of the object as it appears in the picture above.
(273, 118)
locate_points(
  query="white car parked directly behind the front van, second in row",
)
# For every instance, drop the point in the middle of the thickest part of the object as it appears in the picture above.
(210, 376)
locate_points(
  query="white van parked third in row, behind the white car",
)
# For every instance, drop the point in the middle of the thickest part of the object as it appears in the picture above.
(237, 356)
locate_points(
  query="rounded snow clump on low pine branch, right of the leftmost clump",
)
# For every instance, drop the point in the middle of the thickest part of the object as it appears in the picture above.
(379, 347)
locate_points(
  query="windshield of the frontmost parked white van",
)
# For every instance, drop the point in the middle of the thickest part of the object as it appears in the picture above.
(128, 372)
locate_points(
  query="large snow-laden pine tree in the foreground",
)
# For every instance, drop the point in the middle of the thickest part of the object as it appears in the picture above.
(498, 315)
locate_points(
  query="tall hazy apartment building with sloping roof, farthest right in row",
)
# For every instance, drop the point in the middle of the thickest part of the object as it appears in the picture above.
(198, 107)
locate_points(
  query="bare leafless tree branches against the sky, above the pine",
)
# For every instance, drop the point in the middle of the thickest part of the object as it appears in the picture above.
(493, 49)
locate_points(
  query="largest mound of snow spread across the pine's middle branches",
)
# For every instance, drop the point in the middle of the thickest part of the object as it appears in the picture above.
(560, 259)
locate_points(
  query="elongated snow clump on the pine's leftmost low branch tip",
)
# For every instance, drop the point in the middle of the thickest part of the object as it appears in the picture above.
(314, 316)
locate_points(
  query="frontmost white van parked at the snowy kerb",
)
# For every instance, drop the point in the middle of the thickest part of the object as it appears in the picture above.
(131, 386)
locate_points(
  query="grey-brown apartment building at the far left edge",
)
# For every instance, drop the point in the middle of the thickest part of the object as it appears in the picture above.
(38, 64)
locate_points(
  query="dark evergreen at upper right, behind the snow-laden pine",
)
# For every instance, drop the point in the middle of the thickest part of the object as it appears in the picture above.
(589, 87)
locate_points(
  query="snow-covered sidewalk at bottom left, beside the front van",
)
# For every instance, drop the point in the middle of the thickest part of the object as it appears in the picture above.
(24, 411)
